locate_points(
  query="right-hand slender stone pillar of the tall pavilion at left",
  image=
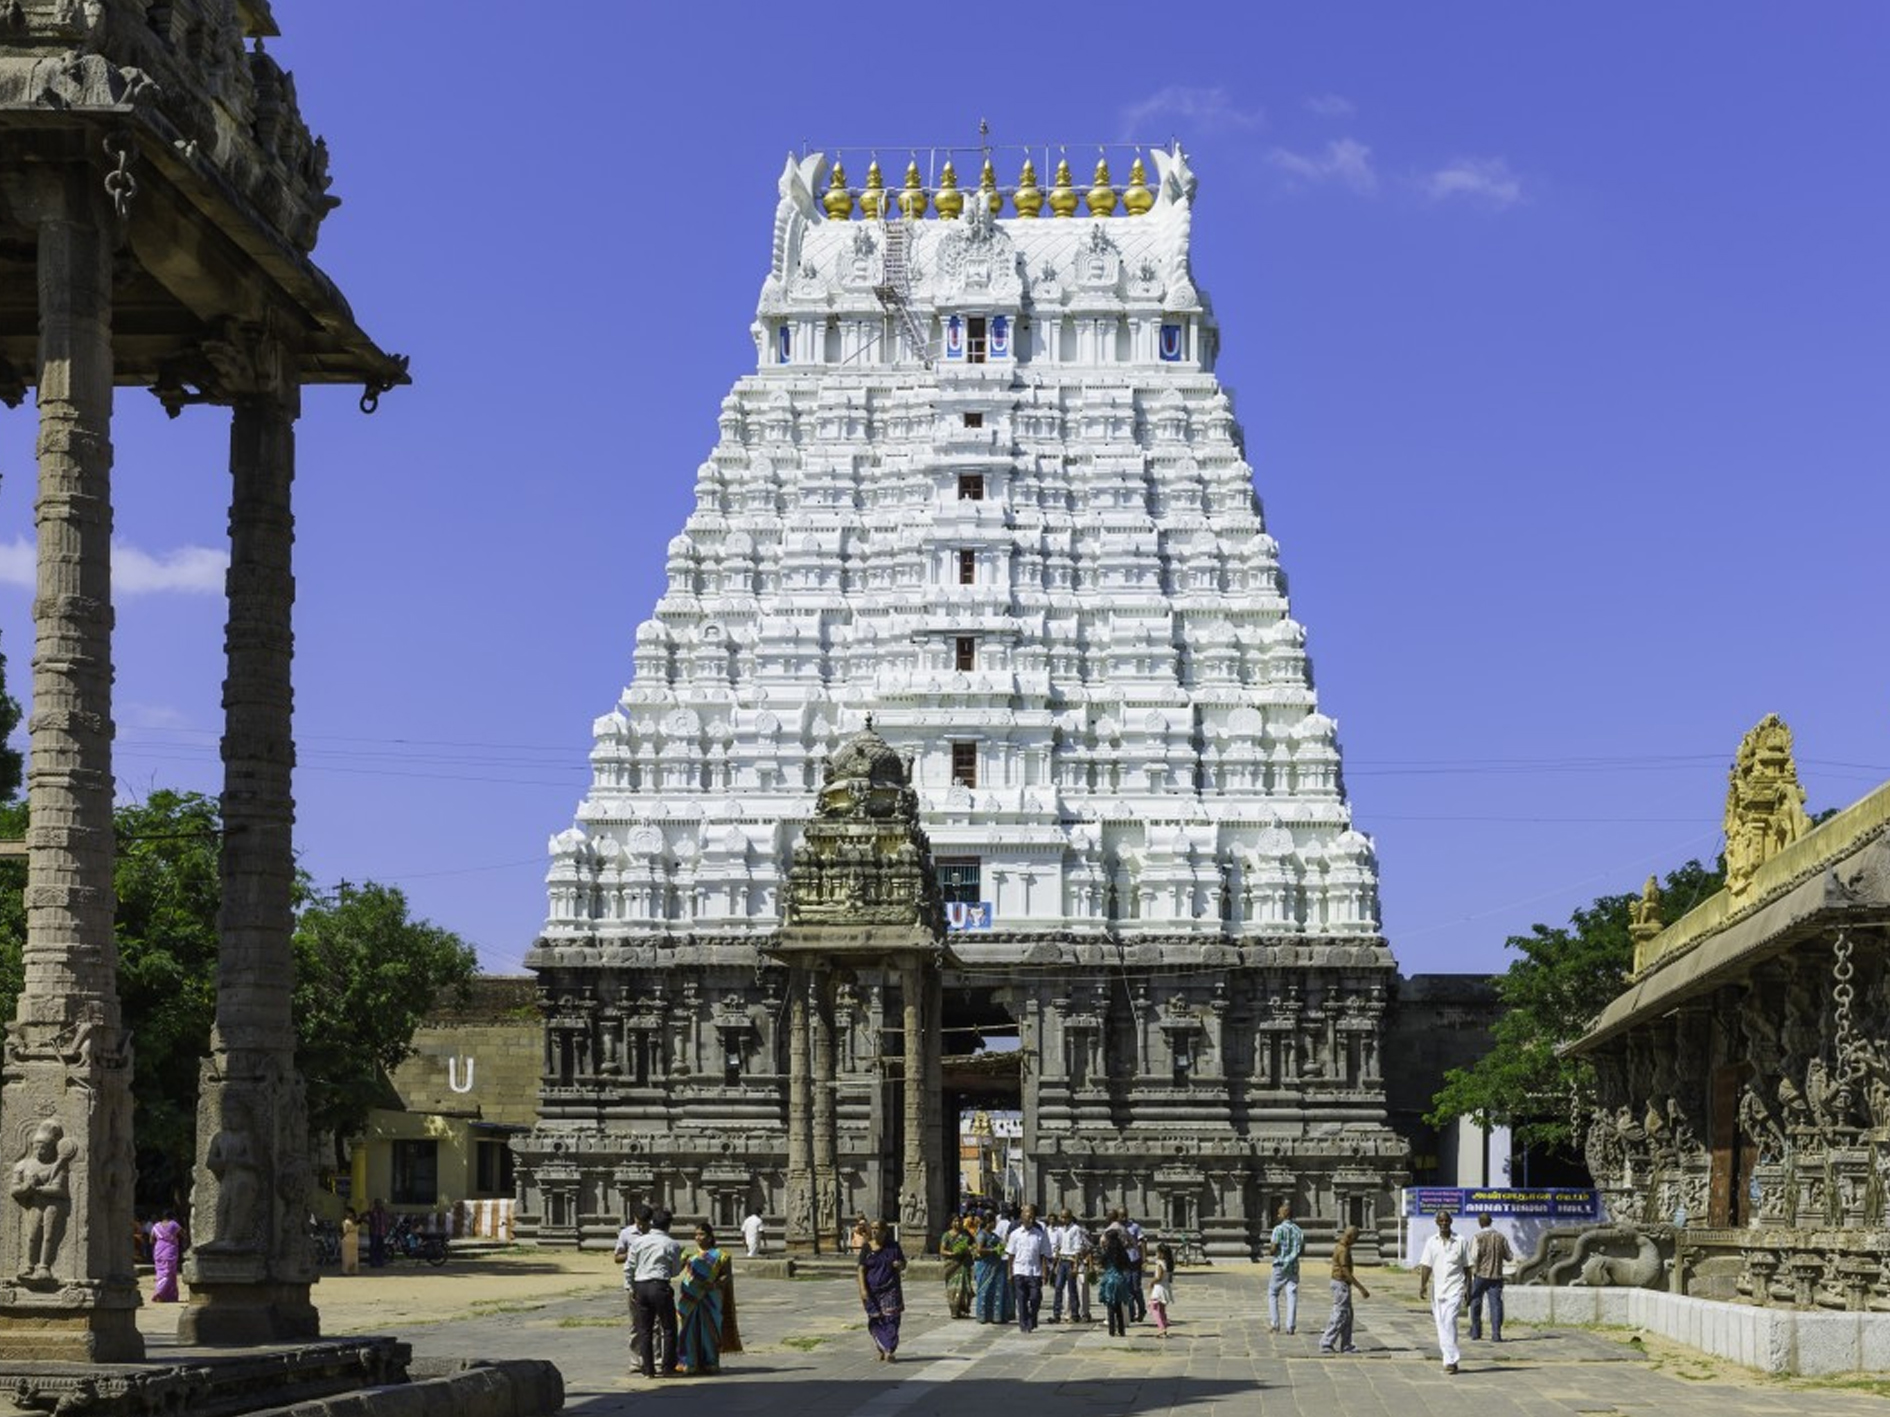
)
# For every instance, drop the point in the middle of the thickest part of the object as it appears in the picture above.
(250, 1269)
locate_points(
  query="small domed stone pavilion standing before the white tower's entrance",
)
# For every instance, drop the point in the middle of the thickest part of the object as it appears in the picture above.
(863, 913)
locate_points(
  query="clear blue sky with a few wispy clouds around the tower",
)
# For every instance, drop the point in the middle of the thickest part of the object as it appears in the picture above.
(1560, 337)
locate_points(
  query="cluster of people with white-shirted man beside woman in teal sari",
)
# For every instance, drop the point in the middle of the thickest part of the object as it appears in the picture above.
(678, 1329)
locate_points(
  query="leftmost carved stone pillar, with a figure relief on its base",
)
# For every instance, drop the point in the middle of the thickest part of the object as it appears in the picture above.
(67, 1282)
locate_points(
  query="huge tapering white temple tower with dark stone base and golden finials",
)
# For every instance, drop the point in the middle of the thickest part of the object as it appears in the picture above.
(986, 488)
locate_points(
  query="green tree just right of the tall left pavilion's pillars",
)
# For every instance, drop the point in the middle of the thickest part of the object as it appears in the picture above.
(366, 978)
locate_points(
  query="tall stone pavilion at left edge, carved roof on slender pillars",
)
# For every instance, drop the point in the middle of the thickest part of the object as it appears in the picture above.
(160, 201)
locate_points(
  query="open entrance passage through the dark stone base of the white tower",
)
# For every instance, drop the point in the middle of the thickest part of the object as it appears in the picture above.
(984, 1093)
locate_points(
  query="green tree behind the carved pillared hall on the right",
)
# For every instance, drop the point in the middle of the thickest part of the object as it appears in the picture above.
(1562, 980)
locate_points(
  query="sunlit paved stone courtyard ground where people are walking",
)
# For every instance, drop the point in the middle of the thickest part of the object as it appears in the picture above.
(808, 1354)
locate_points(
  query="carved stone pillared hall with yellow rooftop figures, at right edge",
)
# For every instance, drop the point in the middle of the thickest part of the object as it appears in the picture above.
(1742, 1125)
